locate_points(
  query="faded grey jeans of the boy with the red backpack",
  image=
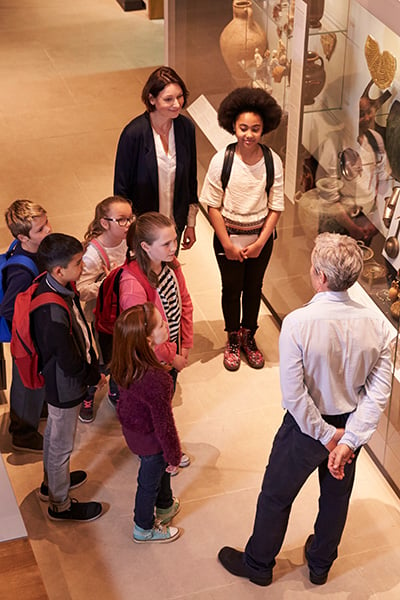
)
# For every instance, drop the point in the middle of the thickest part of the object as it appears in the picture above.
(58, 444)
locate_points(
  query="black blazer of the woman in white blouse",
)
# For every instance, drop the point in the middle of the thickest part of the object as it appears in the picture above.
(136, 172)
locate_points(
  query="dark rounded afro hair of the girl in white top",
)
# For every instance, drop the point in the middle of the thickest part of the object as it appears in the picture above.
(253, 100)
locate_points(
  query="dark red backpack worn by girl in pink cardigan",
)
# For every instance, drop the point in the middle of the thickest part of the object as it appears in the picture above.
(107, 305)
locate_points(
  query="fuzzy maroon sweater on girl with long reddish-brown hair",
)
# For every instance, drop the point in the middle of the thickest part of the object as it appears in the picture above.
(145, 413)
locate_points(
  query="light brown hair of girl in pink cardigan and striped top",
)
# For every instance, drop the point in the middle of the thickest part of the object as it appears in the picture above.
(146, 228)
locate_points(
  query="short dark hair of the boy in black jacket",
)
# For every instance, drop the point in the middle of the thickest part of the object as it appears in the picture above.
(57, 250)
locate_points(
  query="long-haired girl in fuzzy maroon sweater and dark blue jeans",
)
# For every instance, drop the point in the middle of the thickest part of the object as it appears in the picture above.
(145, 412)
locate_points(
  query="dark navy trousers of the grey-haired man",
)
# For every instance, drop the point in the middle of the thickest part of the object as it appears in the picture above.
(294, 456)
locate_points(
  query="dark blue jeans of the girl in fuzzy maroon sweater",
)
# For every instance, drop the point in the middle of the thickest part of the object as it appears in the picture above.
(153, 489)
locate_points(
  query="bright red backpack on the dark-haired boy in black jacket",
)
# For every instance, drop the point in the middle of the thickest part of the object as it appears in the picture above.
(22, 346)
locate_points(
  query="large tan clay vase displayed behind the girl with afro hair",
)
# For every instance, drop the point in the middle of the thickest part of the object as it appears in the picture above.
(239, 40)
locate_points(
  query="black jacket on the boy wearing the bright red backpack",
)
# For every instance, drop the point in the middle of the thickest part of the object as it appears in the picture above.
(62, 352)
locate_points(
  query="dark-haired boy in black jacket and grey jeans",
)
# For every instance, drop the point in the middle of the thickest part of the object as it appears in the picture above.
(69, 365)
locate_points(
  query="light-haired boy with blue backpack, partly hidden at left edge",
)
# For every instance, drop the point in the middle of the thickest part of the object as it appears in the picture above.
(28, 224)
